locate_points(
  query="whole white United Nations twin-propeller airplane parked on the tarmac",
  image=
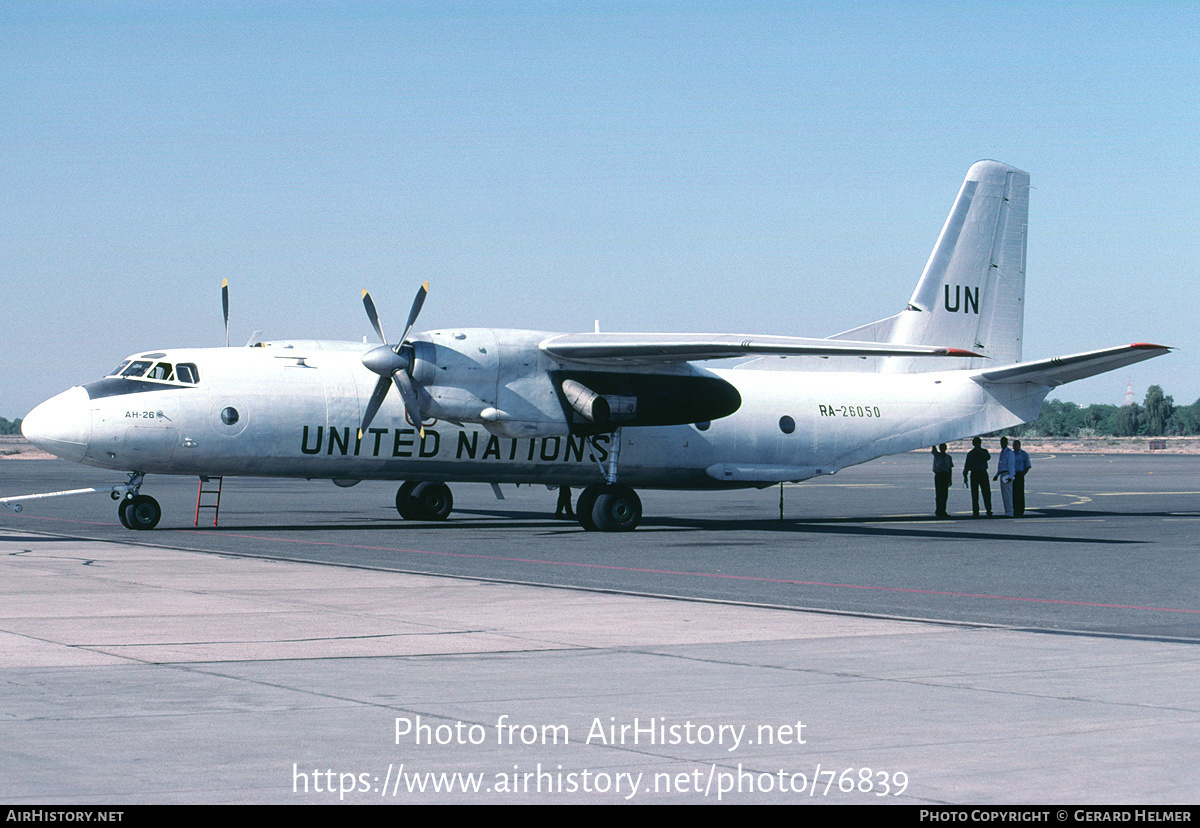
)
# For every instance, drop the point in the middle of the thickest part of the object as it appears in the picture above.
(607, 412)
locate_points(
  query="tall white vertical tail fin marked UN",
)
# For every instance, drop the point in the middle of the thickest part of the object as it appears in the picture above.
(973, 292)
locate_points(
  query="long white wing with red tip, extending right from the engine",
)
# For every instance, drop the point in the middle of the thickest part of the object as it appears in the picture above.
(650, 349)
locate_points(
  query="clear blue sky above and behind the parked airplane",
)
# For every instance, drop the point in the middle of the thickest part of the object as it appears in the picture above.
(737, 167)
